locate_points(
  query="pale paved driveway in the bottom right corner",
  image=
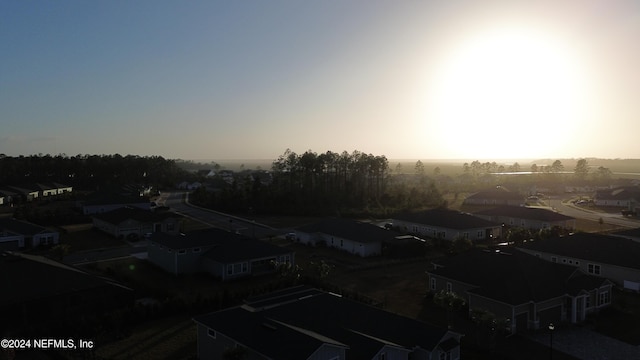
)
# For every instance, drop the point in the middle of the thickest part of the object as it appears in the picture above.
(586, 344)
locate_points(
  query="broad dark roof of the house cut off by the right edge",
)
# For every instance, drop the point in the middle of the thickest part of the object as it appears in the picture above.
(600, 248)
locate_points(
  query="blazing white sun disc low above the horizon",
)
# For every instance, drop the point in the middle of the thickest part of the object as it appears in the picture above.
(507, 93)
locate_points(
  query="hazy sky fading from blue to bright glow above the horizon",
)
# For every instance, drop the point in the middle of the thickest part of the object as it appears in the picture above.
(429, 79)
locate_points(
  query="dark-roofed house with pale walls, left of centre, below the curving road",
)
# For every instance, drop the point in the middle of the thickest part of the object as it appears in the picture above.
(221, 253)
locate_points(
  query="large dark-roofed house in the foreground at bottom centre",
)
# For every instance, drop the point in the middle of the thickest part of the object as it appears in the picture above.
(306, 323)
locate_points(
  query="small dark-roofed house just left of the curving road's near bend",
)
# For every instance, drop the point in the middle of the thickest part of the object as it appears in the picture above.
(135, 222)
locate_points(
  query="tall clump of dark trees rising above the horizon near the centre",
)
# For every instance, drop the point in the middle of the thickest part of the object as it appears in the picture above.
(328, 183)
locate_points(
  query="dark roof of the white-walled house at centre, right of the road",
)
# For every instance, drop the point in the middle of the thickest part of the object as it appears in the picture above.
(349, 229)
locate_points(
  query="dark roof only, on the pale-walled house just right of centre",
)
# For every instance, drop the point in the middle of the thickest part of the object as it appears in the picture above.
(446, 218)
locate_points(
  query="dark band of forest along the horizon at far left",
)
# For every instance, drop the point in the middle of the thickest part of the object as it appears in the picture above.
(90, 171)
